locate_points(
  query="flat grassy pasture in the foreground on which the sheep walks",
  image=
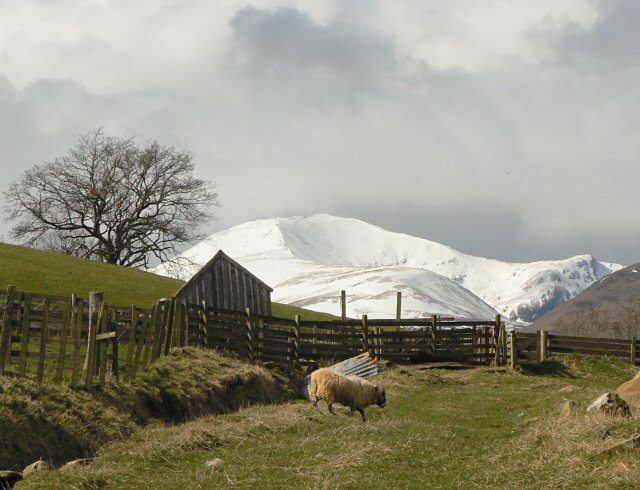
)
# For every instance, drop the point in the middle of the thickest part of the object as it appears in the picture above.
(487, 428)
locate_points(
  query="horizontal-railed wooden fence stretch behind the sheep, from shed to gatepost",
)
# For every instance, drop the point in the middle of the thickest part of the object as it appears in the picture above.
(312, 341)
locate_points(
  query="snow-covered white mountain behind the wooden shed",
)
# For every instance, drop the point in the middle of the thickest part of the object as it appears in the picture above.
(308, 260)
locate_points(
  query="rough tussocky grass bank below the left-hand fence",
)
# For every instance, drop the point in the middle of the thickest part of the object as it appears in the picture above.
(60, 424)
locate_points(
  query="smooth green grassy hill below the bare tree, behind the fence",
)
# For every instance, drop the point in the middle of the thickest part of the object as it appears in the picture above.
(45, 272)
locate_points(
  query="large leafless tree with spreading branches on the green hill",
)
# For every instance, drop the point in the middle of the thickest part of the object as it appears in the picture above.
(108, 199)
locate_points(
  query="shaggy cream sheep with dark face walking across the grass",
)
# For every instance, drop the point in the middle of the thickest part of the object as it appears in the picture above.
(350, 391)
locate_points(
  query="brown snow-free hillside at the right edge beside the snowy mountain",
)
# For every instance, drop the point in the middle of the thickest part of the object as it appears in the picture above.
(609, 307)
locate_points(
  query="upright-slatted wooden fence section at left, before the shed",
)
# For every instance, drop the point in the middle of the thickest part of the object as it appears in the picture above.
(82, 342)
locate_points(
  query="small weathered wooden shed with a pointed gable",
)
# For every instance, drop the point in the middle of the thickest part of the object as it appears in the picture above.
(226, 285)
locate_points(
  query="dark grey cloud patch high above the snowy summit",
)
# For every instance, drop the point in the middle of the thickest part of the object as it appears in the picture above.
(286, 51)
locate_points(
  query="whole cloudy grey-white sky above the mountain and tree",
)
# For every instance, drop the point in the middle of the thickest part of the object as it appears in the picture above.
(503, 129)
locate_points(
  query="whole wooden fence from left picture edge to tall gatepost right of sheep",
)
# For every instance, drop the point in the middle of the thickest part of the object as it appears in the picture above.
(87, 342)
